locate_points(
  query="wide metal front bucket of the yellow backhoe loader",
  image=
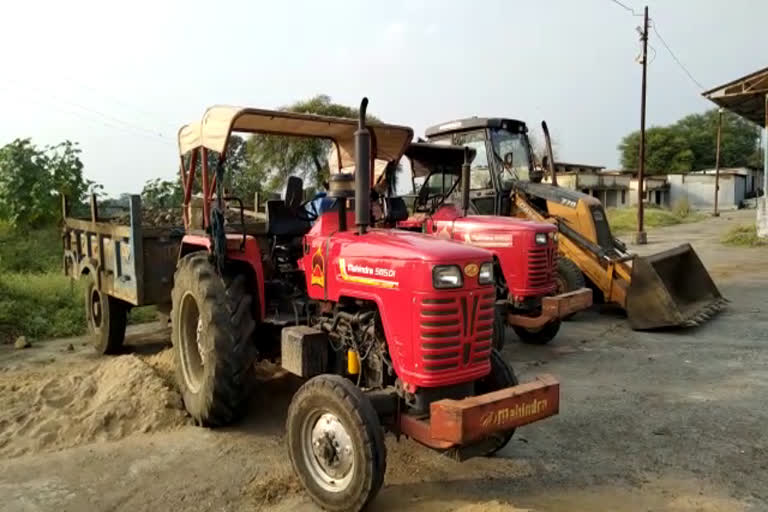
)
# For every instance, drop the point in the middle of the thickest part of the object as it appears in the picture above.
(671, 289)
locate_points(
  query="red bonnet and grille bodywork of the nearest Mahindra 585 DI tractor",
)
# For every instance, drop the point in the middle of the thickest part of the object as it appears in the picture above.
(436, 337)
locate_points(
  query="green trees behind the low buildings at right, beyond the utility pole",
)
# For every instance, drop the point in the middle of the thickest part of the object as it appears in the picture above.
(690, 144)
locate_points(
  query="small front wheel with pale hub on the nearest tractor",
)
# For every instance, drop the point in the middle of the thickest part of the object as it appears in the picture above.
(336, 443)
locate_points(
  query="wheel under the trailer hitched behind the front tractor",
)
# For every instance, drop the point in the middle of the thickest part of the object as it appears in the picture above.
(106, 318)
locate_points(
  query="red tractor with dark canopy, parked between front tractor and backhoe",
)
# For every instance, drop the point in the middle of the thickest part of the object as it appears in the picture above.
(529, 296)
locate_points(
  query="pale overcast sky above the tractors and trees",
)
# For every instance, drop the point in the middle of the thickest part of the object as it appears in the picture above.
(121, 77)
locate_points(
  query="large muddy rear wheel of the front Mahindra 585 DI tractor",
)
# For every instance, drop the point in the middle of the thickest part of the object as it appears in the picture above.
(212, 325)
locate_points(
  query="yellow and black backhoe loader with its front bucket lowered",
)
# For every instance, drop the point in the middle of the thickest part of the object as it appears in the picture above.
(668, 289)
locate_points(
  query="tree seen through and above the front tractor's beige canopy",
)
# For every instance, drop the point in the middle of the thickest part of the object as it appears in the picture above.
(271, 158)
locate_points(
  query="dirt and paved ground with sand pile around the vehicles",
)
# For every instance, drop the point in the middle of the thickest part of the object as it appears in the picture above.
(662, 421)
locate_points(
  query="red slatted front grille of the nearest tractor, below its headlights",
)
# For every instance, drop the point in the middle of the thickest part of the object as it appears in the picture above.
(455, 333)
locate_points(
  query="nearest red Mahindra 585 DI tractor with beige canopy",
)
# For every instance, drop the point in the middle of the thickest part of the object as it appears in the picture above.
(391, 329)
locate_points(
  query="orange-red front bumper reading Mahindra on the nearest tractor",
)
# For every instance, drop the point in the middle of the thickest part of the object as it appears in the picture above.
(453, 423)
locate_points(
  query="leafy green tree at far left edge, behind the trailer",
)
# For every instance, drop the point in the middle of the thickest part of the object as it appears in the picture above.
(33, 179)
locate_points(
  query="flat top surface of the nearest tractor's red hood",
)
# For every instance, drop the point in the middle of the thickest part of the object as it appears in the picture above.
(403, 245)
